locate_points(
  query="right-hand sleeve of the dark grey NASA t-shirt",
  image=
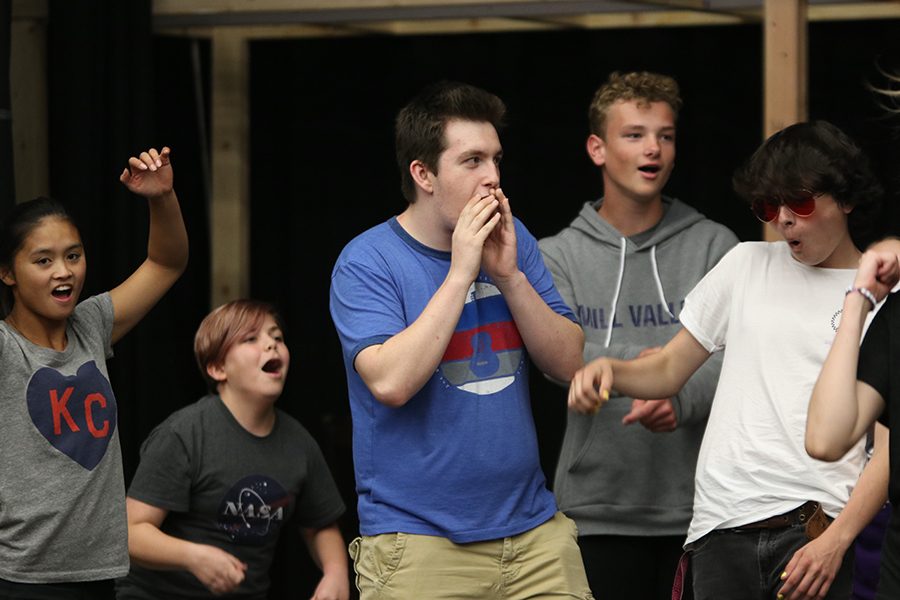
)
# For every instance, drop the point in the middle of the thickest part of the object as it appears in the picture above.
(319, 502)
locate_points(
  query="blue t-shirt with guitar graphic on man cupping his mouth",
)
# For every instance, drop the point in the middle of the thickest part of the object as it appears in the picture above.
(460, 459)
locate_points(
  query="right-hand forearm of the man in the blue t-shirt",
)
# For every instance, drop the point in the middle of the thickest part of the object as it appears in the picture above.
(554, 342)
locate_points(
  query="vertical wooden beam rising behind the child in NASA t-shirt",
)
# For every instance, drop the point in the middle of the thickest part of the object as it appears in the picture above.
(229, 206)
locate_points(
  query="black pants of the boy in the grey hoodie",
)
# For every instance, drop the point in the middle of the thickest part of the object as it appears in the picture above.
(631, 567)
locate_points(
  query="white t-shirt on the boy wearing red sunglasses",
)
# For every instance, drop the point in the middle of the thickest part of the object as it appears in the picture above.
(776, 318)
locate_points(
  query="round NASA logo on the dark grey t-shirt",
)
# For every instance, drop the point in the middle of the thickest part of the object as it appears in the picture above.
(253, 510)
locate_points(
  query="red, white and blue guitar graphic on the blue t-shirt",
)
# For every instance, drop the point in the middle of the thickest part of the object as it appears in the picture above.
(485, 352)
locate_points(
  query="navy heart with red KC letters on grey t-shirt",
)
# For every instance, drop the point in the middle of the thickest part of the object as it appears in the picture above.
(76, 414)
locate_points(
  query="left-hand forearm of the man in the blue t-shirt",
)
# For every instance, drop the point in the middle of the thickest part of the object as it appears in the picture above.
(397, 369)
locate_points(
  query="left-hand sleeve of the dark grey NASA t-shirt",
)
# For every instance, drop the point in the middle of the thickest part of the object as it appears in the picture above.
(163, 477)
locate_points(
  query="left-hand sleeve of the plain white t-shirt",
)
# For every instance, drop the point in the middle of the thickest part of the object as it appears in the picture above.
(708, 305)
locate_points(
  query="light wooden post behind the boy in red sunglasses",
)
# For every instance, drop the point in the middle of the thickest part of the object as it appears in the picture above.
(785, 70)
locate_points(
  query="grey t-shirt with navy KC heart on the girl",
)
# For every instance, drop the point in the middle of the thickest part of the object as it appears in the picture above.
(62, 491)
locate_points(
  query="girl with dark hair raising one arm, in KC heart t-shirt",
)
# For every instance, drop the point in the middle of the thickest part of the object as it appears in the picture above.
(63, 531)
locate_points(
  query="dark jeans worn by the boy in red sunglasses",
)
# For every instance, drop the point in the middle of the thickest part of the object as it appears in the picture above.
(747, 564)
